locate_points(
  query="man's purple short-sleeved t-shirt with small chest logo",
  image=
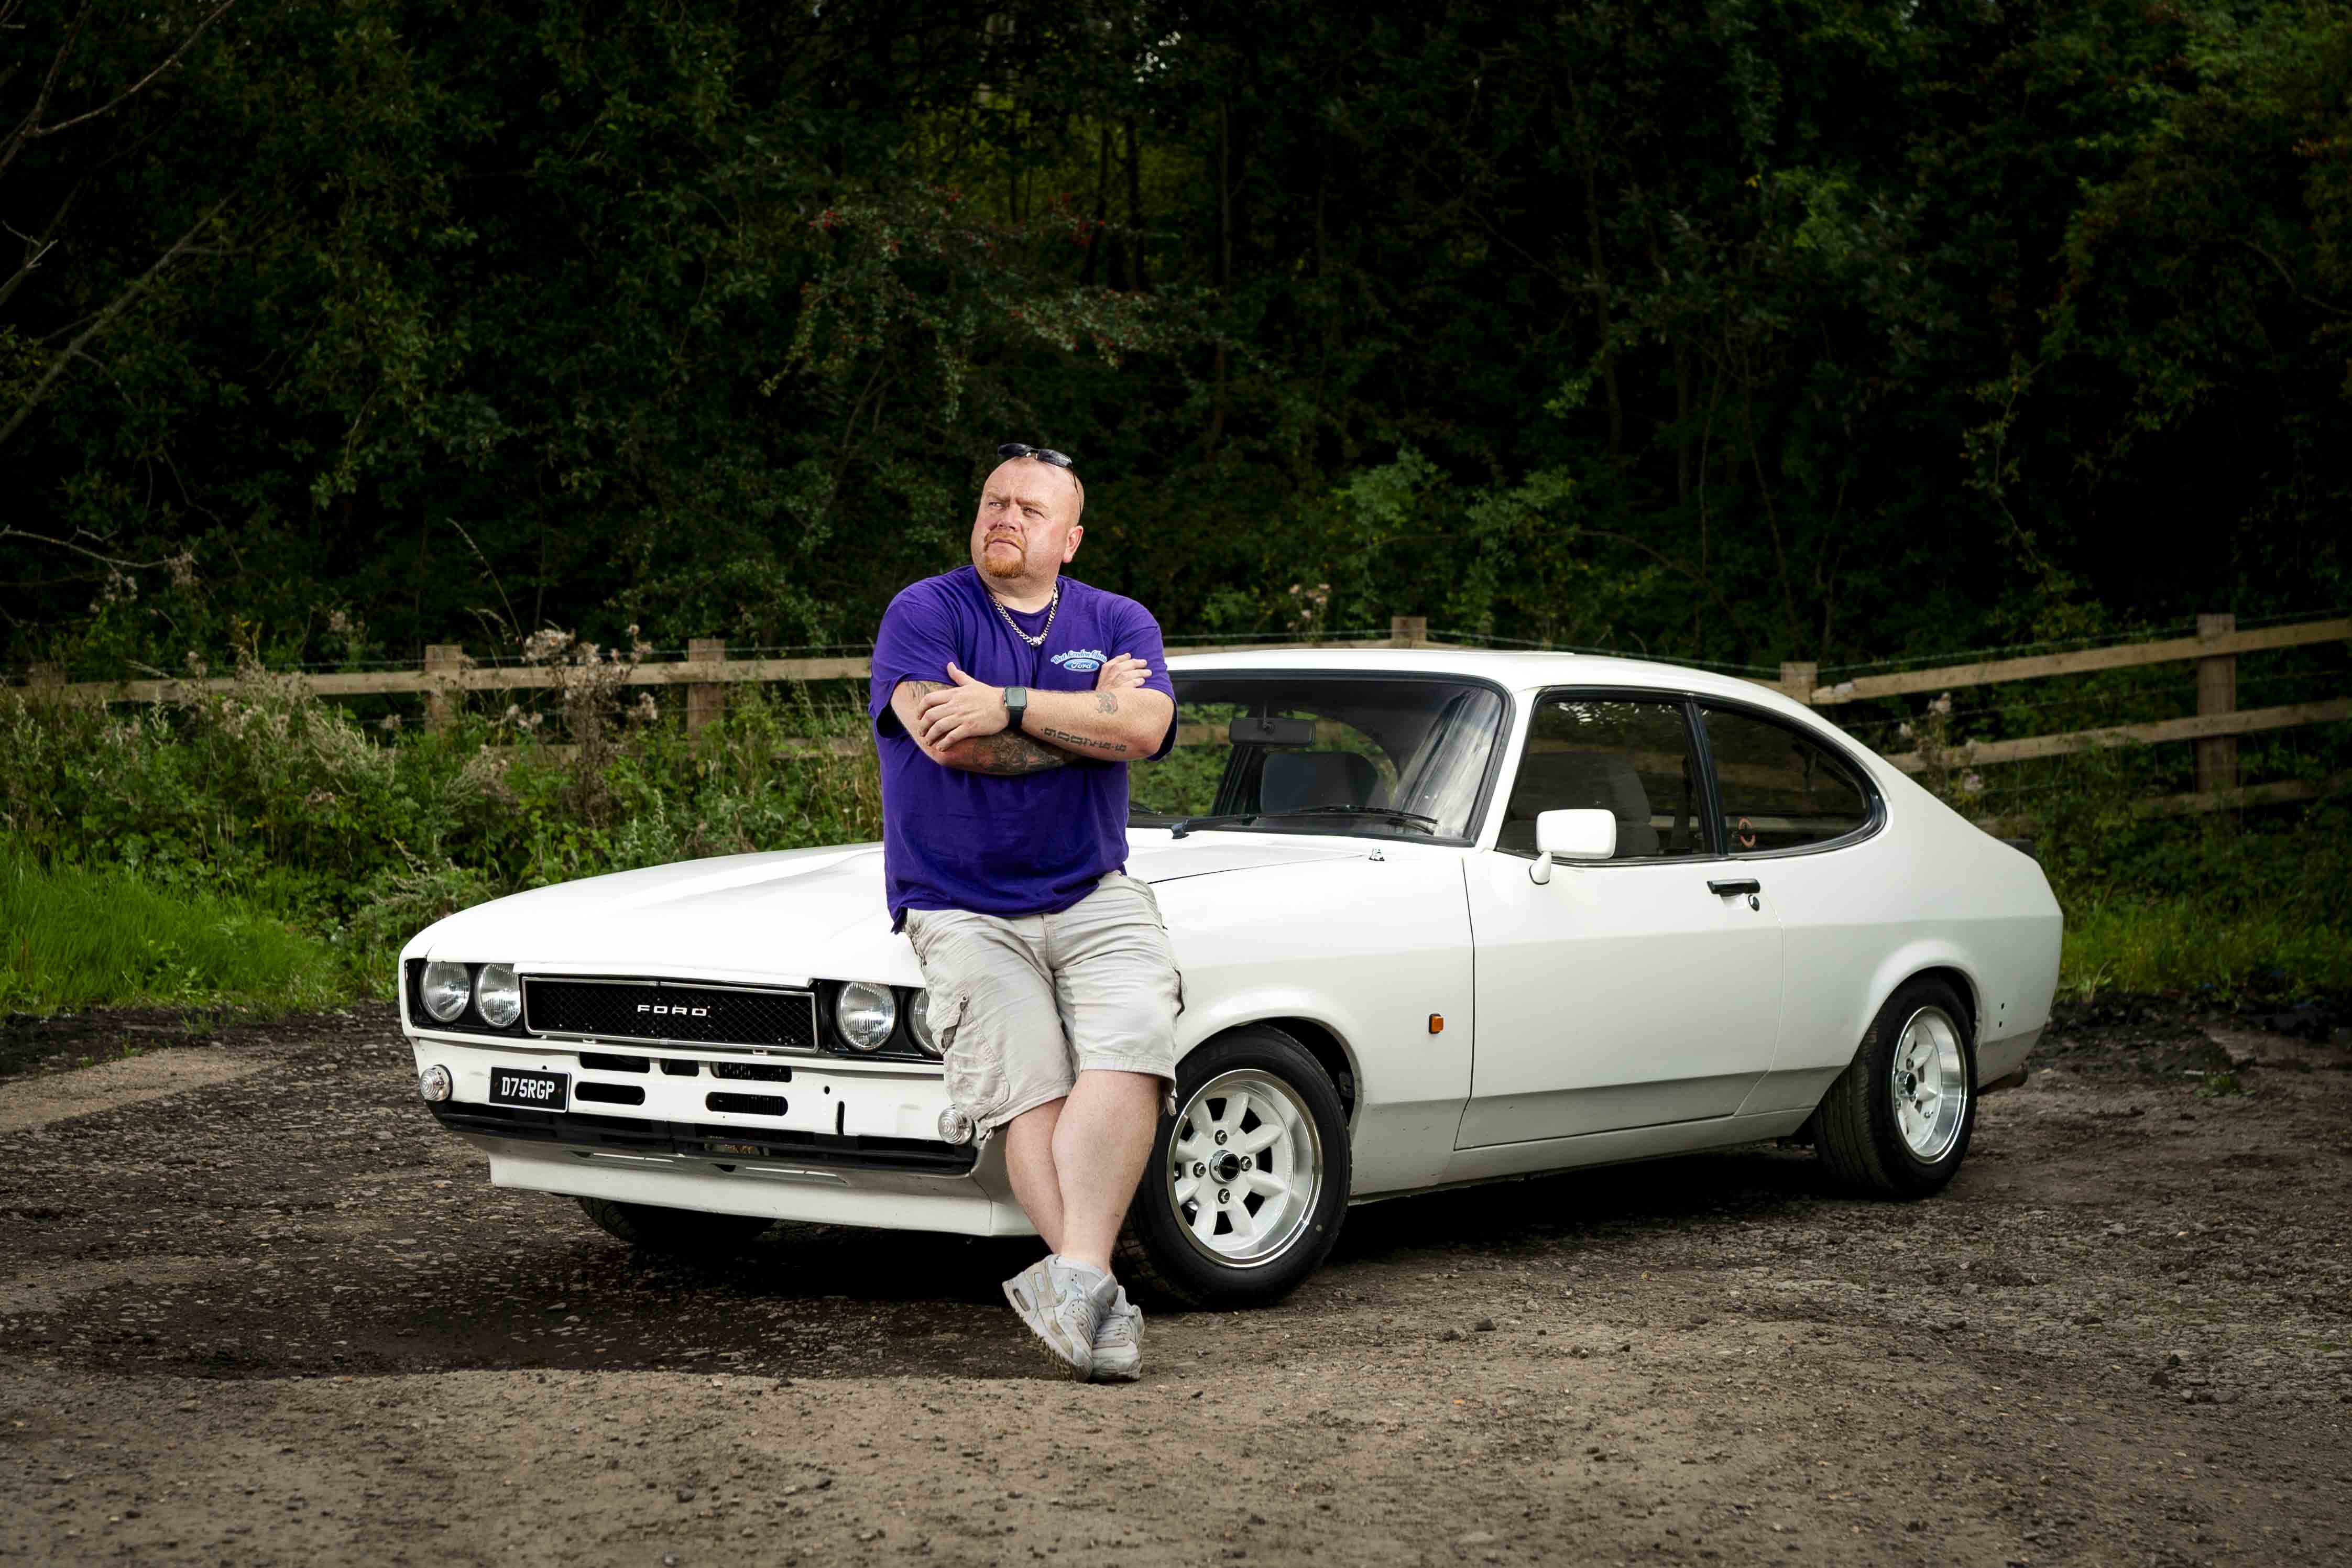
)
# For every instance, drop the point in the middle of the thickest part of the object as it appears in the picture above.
(1027, 845)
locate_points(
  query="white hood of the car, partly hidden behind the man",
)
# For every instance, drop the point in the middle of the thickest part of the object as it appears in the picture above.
(796, 916)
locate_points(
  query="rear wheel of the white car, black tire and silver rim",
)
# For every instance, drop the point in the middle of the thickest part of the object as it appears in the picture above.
(1866, 1137)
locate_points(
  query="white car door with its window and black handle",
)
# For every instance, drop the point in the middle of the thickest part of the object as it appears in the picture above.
(1622, 993)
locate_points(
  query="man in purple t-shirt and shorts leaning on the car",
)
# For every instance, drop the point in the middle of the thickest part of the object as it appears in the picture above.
(1008, 704)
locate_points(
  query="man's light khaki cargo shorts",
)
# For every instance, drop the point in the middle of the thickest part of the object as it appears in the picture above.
(1027, 1003)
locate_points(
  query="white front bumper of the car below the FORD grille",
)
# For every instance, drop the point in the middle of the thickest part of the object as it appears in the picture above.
(855, 1144)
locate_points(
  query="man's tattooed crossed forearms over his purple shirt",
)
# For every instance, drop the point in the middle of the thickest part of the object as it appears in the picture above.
(961, 723)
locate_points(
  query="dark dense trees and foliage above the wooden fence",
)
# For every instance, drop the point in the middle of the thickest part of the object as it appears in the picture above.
(1805, 330)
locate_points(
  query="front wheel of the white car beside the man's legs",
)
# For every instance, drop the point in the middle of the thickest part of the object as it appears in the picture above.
(1234, 1087)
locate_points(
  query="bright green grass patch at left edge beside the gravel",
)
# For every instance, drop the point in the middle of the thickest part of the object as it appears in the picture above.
(102, 937)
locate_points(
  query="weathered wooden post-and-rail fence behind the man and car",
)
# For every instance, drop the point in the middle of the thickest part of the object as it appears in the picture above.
(2214, 728)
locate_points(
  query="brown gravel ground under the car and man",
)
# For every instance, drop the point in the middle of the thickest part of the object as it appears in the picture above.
(255, 1308)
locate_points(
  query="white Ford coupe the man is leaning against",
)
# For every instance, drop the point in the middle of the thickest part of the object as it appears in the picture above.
(1443, 918)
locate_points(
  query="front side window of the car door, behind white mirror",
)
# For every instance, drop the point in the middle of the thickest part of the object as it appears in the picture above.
(1626, 758)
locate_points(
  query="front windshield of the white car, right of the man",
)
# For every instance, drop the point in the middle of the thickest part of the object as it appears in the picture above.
(1299, 753)
